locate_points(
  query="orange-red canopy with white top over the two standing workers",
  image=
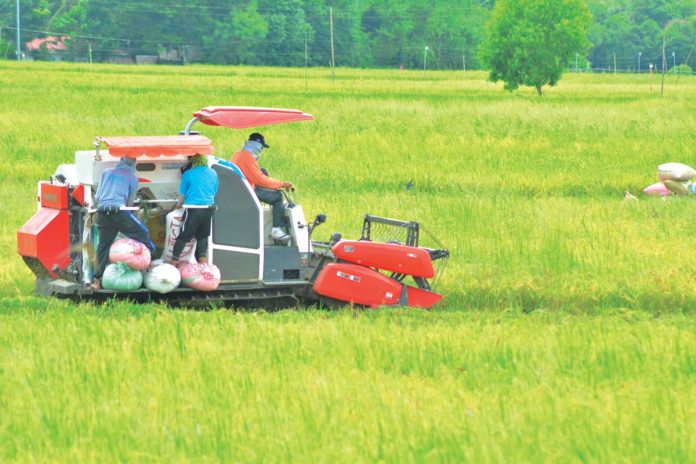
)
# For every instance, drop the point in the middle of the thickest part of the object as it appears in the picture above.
(166, 145)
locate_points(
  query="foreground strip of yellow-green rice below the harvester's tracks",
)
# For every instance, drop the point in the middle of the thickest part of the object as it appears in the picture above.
(121, 384)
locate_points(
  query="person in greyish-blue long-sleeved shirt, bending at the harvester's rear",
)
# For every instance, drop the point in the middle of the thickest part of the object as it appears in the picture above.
(117, 188)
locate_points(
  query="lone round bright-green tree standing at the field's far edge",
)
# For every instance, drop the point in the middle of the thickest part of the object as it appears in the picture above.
(530, 42)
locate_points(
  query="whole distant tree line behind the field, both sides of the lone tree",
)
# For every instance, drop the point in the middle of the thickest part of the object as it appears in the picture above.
(439, 34)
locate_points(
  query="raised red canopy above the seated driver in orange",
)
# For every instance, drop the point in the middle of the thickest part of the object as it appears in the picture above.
(244, 117)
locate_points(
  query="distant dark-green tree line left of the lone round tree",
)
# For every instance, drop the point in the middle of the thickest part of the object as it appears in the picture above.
(263, 32)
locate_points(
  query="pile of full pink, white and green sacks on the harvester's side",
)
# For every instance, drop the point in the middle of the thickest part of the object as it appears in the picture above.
(131, 265)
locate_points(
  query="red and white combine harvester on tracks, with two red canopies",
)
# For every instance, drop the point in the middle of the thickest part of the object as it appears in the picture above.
(57, 243)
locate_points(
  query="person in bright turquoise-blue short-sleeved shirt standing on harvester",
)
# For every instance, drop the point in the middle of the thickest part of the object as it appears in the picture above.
(197, 190)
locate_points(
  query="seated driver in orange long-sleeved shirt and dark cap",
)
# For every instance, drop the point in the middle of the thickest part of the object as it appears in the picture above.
(267, 189)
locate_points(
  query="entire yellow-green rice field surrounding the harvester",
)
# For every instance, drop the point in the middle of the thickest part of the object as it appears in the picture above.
(567, 333)
